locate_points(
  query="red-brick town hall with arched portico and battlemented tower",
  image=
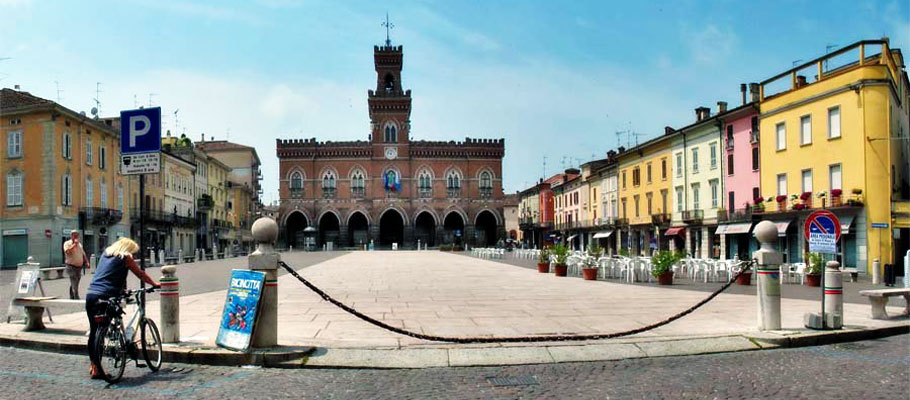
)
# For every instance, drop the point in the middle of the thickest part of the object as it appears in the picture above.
(390, 189)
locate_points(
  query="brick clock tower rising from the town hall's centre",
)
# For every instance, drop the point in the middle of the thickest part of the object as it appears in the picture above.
(389, 105)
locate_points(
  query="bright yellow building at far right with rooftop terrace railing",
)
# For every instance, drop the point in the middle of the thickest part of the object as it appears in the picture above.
(834, 134)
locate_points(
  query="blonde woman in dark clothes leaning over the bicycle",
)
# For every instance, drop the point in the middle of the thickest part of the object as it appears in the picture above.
(110, 281)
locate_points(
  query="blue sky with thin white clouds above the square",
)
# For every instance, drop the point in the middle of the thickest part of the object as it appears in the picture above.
(557, 80)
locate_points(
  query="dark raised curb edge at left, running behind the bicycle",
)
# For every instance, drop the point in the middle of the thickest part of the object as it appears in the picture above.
(187, 355)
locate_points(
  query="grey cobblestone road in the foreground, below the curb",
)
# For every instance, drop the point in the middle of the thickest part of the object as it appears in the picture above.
(875, 369)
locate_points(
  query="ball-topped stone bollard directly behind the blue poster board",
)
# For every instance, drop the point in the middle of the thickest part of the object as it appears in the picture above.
(265, 259)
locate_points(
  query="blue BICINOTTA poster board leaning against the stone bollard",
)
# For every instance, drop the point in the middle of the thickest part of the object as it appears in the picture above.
(240, 309)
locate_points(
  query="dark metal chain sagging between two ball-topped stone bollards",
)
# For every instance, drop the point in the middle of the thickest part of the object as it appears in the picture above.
(745, 267)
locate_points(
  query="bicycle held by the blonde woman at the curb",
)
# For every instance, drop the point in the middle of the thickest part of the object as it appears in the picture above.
(114, 341)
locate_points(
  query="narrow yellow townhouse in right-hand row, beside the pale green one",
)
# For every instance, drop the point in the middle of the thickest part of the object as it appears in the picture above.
(644, 180)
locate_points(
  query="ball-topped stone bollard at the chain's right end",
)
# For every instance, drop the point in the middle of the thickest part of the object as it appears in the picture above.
(768, 271)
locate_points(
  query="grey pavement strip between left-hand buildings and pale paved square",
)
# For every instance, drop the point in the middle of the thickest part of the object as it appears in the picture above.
(198, 277)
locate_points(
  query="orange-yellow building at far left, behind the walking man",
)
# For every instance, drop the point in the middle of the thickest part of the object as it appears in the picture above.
(58, 172)
